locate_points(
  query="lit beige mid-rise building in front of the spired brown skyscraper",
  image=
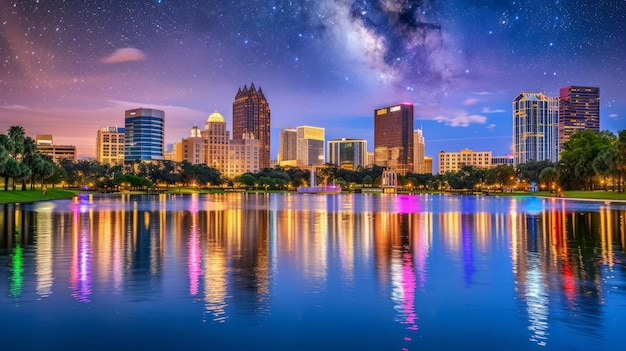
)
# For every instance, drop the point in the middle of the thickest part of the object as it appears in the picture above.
(243, 156)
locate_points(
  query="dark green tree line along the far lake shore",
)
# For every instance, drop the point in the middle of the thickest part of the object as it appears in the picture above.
(588, 161)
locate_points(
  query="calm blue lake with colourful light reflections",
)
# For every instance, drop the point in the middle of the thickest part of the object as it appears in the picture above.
(312, 272)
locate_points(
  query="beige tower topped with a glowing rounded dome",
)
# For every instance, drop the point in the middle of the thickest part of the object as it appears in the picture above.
(216, 139)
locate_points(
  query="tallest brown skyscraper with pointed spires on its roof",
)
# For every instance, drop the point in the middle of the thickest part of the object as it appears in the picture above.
(251, 114)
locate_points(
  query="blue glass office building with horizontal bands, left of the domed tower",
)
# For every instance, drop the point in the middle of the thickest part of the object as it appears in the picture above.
(144, 134)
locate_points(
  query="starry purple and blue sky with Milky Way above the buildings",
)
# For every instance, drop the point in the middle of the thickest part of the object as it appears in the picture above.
(327, 64)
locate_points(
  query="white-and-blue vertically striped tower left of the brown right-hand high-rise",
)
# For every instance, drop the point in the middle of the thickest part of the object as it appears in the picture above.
(535, 128)
